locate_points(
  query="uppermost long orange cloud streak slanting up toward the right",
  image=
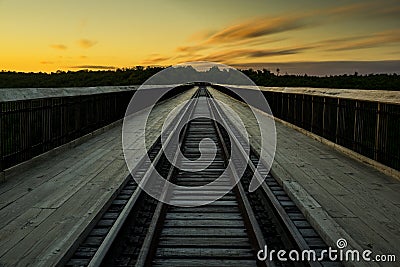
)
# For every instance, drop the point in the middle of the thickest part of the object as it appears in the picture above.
(257, 31)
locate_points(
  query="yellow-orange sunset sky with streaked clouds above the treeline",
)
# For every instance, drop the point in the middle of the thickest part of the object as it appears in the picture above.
(55, 35)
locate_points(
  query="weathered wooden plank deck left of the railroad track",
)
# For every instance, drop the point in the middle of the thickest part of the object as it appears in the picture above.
(44, 209)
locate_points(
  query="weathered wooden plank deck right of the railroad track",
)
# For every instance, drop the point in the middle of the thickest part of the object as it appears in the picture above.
(341, 196)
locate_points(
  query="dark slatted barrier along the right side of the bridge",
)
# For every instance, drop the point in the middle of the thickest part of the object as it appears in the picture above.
(368, 127)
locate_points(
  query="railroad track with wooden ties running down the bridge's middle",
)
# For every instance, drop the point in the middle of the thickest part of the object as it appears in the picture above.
(136, 230)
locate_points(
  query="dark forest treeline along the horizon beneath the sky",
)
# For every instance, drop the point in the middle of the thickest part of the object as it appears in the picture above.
(139, 74)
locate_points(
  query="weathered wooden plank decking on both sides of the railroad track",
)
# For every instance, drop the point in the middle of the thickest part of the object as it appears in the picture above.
(44, 209)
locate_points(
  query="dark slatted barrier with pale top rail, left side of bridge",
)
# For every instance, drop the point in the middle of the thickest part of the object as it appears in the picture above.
(34, 121)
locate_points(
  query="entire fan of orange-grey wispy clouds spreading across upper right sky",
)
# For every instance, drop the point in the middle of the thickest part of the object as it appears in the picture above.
(266, 37)
